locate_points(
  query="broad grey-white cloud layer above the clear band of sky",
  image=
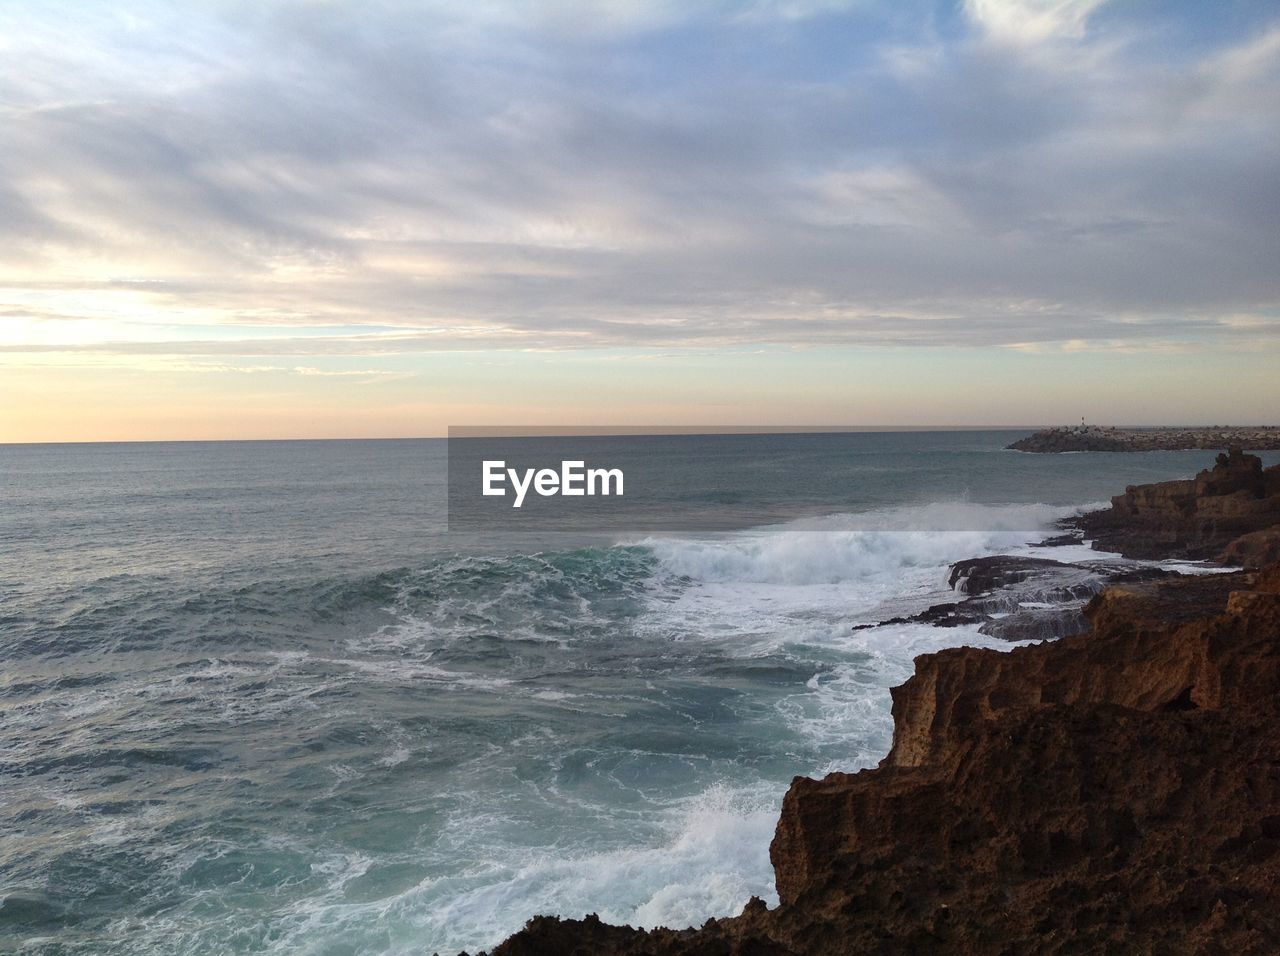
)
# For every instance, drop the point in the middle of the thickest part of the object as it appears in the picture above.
(300, 179)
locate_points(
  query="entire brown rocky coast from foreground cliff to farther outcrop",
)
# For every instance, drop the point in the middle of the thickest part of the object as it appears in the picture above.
(1116, 790)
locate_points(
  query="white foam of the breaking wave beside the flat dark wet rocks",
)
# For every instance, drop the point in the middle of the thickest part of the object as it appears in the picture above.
(796, 591)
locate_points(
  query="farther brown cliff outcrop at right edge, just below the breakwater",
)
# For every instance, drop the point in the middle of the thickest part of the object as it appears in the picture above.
(1203, 518)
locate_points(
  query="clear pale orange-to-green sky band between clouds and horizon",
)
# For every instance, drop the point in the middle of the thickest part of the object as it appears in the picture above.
(74, 399)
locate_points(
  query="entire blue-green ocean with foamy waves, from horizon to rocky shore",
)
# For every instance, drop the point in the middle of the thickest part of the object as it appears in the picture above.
(257, 699)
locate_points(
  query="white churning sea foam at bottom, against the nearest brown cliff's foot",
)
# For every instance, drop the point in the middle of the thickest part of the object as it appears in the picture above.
(708, 859)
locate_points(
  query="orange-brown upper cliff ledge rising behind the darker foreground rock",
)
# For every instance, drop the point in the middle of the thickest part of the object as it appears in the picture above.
(1151, 647)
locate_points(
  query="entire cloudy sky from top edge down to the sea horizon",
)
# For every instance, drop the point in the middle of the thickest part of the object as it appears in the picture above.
(319, 218)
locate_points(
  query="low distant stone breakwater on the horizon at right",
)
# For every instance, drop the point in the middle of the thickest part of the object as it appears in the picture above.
(1094, 438)
